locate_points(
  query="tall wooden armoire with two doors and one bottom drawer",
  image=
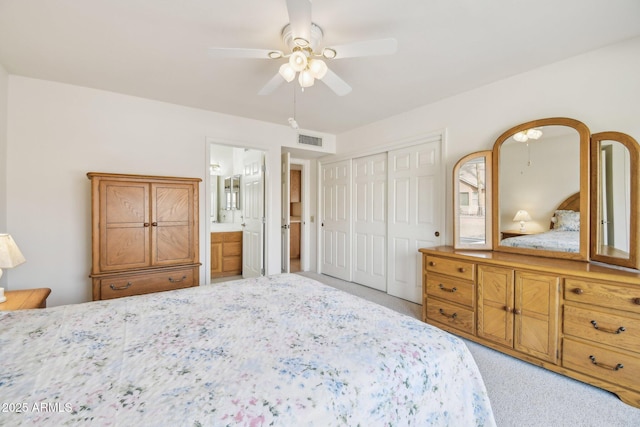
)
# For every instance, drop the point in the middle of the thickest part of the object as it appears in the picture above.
(144, 234)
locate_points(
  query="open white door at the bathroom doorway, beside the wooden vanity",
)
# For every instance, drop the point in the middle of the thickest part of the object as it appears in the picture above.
(253, 214)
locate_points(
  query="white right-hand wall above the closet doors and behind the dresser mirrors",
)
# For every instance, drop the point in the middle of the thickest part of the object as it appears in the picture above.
(600, 88)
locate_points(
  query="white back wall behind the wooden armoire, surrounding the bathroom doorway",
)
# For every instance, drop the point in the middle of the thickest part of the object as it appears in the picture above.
(57, 133)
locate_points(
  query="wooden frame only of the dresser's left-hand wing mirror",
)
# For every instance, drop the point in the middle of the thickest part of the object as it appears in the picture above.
(487, 154)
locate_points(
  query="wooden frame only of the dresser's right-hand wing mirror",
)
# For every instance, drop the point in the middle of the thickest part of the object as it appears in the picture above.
(634, 155)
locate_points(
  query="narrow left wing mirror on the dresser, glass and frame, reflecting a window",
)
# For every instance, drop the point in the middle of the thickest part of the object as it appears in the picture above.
(472, 201)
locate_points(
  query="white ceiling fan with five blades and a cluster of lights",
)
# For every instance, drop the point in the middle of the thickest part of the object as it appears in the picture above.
(303, 38)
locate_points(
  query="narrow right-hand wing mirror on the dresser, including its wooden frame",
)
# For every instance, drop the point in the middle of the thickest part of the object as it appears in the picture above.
(614, 202)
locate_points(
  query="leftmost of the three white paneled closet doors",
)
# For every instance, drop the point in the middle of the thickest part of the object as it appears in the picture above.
(336, 220)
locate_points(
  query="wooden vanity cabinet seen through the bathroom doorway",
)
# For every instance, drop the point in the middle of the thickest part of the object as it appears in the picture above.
(226, 253)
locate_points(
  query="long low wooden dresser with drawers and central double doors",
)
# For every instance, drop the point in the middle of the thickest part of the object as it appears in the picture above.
(575, 318)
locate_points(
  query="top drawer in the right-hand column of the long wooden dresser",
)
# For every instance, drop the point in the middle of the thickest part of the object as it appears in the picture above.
(602, 294)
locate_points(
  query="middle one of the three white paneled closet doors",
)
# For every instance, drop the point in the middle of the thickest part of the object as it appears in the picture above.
(370, 221)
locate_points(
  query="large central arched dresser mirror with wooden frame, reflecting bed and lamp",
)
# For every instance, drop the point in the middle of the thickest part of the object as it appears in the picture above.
(541, 189)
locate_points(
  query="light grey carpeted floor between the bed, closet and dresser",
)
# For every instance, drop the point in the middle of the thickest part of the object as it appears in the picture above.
(521, 394)
